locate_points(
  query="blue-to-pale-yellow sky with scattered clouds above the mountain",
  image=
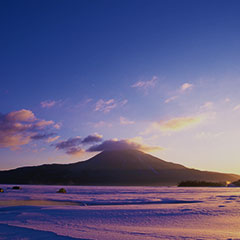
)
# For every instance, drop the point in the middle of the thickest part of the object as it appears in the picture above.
(80, 77)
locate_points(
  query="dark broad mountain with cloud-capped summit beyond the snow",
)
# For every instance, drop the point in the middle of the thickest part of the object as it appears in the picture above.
(123, 167)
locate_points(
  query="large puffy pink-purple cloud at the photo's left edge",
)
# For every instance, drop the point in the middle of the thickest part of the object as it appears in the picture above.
(18, 128)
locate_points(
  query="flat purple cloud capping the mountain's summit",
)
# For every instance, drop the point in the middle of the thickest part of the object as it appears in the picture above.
(110, 145)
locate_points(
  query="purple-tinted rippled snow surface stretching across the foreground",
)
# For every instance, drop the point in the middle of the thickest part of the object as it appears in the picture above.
(113, 213)
